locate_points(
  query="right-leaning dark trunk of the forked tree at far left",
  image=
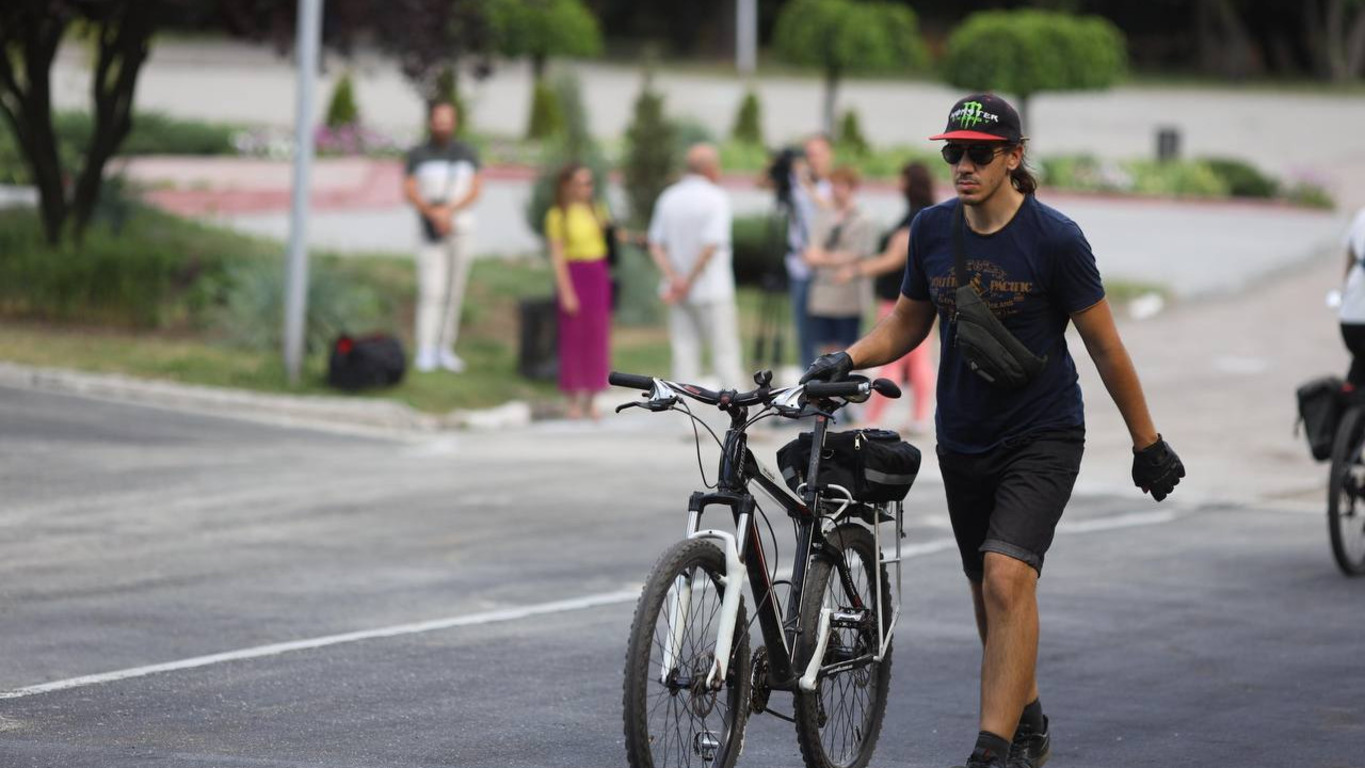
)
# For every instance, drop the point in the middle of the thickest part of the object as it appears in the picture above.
(124, 50)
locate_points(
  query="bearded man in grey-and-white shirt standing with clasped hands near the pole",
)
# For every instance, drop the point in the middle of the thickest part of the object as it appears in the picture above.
(443, 181)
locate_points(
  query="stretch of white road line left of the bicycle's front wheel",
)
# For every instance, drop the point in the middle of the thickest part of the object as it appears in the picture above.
(275, 650)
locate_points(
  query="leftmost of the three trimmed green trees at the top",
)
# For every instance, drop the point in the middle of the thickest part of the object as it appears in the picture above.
(541, 29)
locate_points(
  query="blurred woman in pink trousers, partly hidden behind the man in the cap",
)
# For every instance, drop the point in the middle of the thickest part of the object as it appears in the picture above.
(887, 271)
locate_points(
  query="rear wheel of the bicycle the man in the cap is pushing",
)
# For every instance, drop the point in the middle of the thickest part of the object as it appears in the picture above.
(843, 740)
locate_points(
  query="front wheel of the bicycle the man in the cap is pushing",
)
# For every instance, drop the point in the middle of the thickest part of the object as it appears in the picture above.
(667, 721)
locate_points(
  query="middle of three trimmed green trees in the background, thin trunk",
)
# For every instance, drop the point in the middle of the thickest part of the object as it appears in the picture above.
(848, 38)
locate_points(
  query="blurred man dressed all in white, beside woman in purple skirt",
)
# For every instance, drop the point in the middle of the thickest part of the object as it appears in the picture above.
(690, 242)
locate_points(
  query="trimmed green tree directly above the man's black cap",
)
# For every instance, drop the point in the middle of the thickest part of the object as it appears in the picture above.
(1026, 53)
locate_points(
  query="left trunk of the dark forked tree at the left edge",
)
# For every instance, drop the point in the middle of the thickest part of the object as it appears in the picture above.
(28, 107)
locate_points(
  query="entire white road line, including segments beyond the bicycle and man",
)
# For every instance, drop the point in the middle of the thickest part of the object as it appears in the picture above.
(513, 615)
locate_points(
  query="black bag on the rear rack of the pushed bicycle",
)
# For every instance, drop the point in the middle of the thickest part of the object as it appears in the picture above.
(876, 466)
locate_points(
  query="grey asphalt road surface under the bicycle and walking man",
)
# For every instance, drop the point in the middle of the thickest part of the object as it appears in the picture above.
(134, 537)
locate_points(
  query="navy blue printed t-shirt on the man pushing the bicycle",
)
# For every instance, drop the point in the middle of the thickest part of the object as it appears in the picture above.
(1034, 274)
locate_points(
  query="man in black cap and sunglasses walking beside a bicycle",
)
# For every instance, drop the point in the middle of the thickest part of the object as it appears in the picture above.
(1007, 275)
